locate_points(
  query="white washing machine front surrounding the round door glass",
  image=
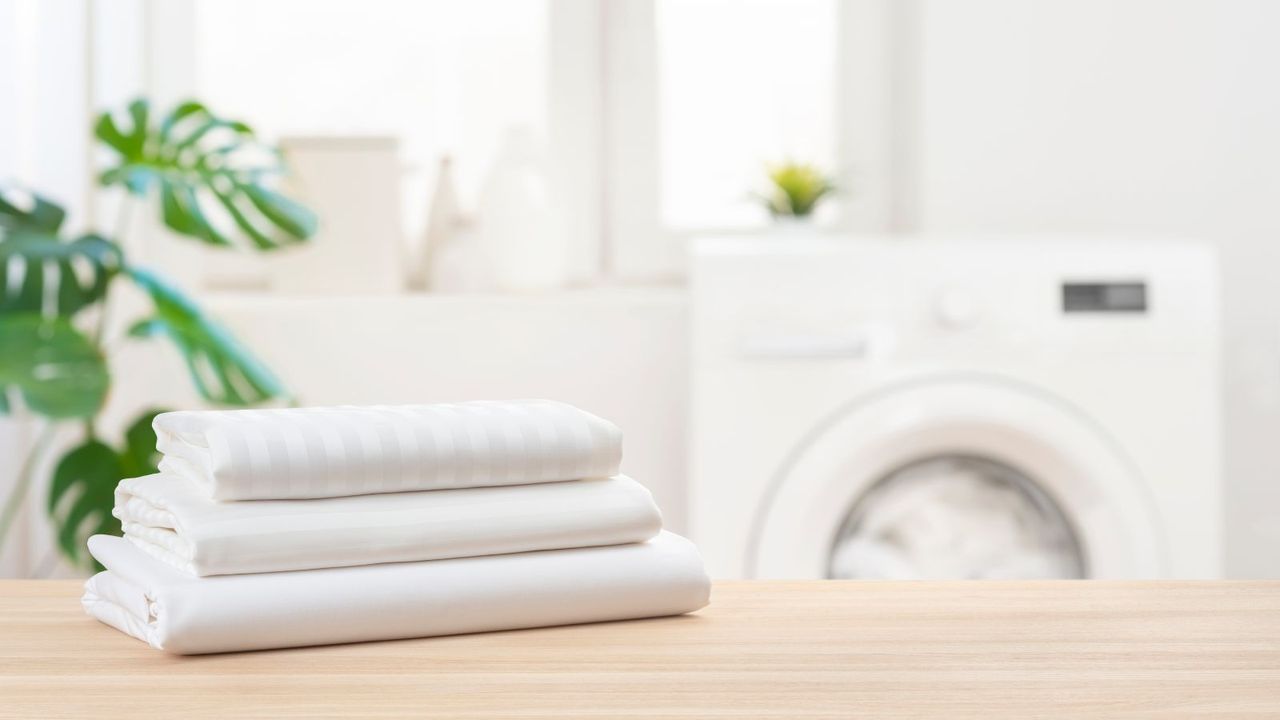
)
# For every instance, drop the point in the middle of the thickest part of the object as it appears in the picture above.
(1124, 331)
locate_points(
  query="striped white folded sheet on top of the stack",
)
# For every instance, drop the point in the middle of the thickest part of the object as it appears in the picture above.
(341, 452)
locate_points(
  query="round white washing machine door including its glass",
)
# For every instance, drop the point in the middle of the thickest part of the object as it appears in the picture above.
(961, 477)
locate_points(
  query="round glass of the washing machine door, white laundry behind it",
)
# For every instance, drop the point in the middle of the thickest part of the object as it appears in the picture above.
(957, 517)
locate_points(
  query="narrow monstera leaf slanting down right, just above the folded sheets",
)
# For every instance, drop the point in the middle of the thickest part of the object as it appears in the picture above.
(223, 370)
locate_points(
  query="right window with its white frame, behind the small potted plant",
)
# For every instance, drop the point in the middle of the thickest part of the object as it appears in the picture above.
(701, 95)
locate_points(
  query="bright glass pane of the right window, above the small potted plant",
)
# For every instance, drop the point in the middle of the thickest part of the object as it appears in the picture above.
(740, 85)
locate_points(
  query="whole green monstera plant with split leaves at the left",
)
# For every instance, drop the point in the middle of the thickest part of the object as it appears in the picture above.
(213, 183)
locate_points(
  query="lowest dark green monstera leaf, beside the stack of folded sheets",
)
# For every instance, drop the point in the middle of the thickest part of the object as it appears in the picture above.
(83, 491)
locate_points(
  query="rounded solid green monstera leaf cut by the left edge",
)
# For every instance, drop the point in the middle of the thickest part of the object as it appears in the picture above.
(54, 368)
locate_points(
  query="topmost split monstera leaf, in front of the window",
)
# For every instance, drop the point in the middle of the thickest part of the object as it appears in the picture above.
(211, 175)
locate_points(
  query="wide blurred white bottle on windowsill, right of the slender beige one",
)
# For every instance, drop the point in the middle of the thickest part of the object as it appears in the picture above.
(516, 222)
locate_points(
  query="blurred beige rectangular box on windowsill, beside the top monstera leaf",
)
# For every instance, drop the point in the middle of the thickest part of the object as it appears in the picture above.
(354, 185)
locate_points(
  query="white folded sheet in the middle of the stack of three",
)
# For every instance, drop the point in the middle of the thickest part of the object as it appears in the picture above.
(170, 520)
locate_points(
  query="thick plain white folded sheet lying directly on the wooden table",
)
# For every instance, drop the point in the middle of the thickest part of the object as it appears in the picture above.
(177, 613)
